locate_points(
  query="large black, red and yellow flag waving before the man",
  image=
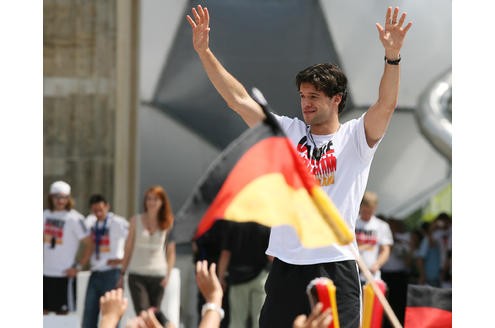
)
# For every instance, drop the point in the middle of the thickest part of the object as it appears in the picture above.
(260, 178)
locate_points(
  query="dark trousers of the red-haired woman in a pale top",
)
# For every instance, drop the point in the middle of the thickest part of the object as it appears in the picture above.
(146, 291)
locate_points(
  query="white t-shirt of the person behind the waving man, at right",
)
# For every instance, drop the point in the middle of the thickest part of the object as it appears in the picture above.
(372, 234)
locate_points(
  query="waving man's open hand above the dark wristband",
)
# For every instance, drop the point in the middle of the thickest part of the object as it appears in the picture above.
(393, 34)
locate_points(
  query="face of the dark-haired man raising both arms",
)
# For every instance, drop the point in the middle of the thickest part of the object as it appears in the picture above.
(316, 106)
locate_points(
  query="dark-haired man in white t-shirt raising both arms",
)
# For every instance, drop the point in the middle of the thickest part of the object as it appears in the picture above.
(339, 155)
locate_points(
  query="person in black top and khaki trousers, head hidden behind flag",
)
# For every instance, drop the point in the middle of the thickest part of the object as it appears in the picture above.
(244, 266)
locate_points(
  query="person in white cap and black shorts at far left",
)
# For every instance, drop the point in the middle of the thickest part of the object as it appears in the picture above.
(63, 231)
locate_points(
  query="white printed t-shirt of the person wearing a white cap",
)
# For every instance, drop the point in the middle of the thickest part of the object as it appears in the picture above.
(62, 232)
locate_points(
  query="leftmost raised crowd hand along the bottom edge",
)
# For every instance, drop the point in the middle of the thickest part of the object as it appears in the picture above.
(112, 306)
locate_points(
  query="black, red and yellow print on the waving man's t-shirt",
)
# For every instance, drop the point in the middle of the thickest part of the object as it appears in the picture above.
(321, 162)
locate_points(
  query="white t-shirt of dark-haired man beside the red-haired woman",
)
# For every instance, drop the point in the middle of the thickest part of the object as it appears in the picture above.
(112, 242)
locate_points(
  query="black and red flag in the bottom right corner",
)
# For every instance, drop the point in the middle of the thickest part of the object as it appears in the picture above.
(428, 307)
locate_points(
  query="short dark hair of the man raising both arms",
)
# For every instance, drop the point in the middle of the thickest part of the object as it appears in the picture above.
(328, 78)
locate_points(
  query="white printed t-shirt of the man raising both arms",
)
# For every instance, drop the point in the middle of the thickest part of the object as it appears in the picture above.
(341, 162)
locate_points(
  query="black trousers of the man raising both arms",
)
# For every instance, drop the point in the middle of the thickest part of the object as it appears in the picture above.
(286, 296)
